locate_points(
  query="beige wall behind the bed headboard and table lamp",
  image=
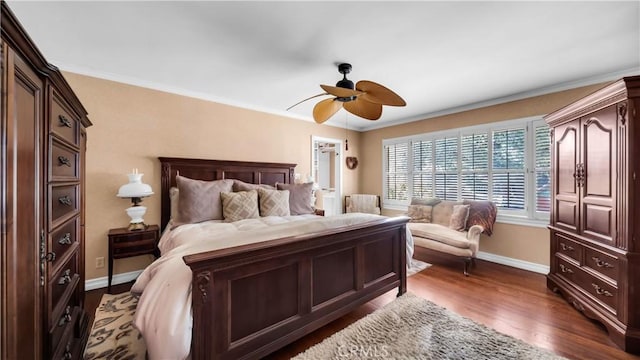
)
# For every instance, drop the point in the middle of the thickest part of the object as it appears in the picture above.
(132, 126)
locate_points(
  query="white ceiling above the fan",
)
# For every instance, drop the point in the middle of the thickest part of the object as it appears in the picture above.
(441, 57)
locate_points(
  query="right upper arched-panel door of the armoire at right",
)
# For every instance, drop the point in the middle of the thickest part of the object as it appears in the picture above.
(598, 184)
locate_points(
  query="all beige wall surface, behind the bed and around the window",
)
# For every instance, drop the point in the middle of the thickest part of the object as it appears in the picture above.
(134, 125)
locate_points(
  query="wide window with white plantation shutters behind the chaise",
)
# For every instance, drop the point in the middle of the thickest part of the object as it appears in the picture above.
(507, 163)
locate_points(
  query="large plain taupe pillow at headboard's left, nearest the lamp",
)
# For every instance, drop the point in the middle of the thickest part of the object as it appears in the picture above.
(200, 200)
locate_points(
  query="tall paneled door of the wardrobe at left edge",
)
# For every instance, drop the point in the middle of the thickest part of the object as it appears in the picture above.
(21, 311)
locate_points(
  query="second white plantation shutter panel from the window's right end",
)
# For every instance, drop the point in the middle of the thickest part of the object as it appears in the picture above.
(508, 179)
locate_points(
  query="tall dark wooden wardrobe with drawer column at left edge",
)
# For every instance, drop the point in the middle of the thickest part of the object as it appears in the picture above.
(42, 189)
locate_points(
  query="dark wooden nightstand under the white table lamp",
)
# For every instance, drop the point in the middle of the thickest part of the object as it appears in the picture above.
(125, 243)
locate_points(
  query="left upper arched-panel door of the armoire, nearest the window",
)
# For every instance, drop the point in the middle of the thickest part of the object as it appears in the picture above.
(566, 173)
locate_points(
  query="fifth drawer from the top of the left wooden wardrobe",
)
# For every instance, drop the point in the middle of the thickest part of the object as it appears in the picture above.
(62, 284)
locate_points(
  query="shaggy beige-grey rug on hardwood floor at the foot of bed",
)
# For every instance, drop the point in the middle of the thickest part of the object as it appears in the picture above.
(414, 328)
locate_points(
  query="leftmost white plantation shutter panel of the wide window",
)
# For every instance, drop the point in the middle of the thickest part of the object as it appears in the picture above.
(396, 171)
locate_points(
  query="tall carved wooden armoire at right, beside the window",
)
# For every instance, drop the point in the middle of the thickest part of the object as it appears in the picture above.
(595, 213)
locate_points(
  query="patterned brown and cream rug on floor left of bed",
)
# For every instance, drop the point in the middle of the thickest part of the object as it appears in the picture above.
(113, 335)
